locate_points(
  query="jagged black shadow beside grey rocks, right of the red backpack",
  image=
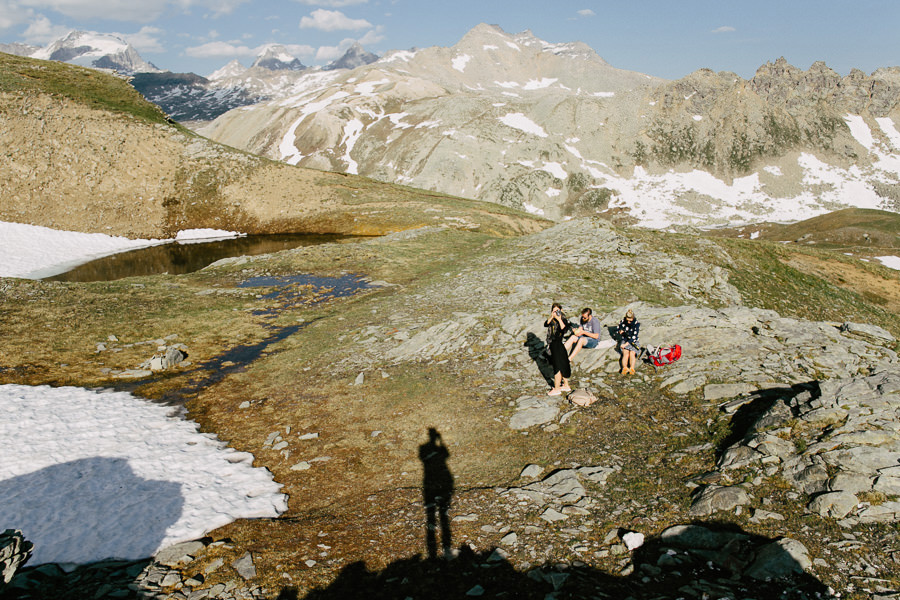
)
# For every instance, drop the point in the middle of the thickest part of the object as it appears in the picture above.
(757, 413)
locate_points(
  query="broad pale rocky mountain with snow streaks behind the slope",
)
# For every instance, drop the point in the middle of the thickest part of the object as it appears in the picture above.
(555, 130)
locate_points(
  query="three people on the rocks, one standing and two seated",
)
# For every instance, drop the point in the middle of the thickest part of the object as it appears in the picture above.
(585, 335)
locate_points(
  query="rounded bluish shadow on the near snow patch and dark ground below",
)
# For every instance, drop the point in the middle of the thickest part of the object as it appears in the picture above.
(95, 512)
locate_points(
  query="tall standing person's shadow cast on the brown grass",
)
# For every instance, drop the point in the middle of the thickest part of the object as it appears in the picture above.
(437, 492)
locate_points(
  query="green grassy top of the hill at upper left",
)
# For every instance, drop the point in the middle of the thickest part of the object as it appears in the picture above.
(92, 88)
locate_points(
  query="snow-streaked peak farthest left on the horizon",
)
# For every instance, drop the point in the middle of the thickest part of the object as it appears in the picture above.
(96, 50)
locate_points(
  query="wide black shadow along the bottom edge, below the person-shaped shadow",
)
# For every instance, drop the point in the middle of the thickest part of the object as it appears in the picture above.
(699, 560)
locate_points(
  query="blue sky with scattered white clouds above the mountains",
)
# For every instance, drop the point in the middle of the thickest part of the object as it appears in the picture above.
(664, 38)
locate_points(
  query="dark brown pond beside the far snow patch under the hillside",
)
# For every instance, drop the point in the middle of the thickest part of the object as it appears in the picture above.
(177, 259)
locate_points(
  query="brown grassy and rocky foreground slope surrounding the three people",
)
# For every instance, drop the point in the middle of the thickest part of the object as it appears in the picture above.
(759, 465)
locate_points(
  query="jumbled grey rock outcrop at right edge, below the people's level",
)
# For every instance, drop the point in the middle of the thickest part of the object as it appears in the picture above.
(835, 442)
